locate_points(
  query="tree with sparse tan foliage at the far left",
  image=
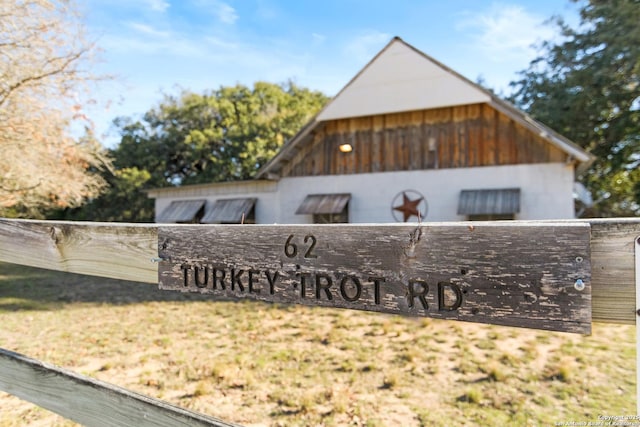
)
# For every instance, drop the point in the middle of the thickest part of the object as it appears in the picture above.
(43, 54)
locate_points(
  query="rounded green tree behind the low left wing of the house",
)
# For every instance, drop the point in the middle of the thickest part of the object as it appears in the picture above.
(222, 135)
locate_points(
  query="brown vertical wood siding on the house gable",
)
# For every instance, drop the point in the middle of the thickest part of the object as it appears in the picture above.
(453, 137)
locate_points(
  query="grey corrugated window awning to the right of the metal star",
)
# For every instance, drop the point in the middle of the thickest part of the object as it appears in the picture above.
(489, 202)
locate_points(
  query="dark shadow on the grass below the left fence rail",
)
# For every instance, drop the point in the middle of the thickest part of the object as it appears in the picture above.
(28, 288)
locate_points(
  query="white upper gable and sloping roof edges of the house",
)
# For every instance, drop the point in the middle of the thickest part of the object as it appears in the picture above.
(402, 78)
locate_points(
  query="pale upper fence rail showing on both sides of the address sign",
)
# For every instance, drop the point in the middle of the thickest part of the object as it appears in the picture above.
(123, 251)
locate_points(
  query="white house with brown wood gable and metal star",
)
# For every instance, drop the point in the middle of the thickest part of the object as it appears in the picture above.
(407, 137)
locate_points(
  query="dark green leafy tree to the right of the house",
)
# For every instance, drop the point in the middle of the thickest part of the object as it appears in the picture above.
(587, 87)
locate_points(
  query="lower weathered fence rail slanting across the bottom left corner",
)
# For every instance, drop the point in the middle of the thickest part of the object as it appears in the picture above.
(88, 401)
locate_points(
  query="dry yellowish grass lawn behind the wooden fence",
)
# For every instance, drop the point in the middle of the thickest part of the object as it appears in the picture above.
(268, 365)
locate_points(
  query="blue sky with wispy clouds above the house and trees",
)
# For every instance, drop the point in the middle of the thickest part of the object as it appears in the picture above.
(160, 46)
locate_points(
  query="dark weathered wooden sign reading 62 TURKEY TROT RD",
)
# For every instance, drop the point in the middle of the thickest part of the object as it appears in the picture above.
(534, 275)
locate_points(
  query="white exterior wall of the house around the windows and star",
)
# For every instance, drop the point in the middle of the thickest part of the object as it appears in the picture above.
(546, 192)
